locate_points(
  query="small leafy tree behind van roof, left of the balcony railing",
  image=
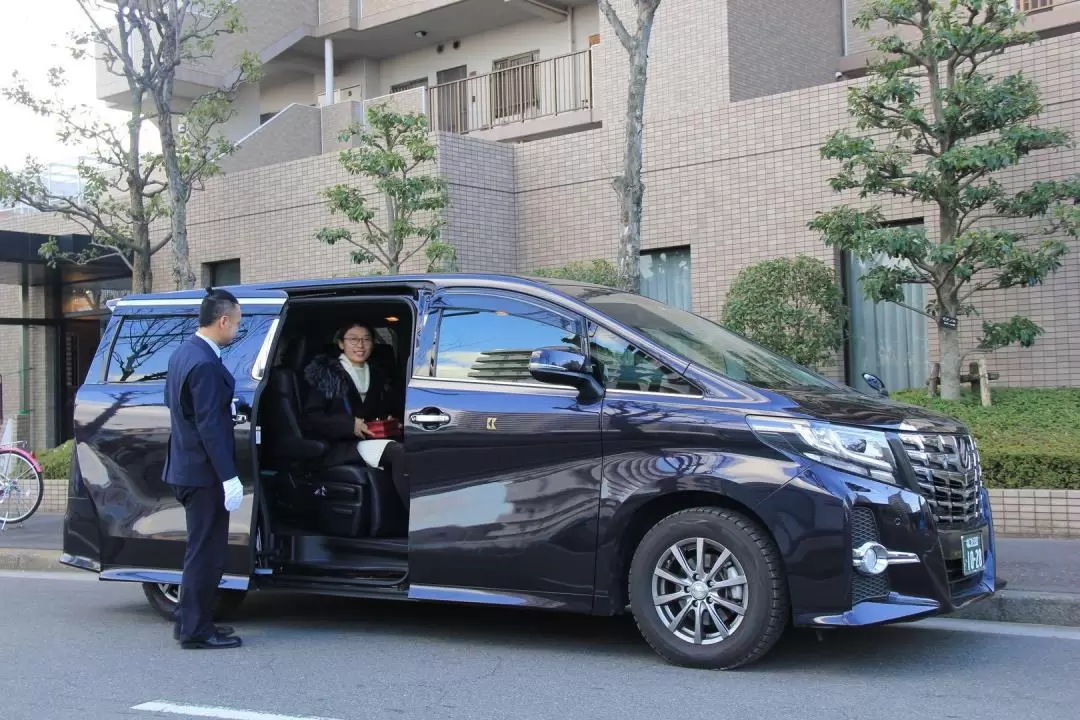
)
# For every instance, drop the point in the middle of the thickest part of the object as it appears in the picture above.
(390, 154)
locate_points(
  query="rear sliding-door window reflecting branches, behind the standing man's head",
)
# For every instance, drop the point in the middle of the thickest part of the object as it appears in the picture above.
(145, 345)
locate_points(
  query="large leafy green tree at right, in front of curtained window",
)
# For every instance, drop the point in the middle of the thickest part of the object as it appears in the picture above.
(951, 127)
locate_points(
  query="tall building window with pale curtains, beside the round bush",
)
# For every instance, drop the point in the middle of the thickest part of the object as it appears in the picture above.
(886, 339)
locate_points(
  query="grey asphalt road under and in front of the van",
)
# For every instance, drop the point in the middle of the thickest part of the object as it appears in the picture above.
(76, 649)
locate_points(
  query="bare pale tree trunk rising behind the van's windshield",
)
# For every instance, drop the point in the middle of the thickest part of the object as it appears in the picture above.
(629, 186)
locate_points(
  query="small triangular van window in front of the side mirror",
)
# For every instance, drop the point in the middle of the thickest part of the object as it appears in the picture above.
(618, 365)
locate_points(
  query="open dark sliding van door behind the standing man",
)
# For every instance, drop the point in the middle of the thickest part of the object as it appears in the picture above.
(124, 520)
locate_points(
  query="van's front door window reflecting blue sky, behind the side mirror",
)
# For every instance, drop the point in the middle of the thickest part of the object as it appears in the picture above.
(496, 346)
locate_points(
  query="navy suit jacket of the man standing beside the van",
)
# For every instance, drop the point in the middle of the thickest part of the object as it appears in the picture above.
(199, 392)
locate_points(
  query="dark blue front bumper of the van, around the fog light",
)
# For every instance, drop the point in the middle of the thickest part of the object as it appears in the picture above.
(934, 586)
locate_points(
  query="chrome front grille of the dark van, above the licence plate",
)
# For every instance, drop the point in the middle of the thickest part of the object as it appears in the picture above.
(950, 473)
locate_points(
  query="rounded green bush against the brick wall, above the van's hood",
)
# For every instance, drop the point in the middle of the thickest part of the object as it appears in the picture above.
(793, 307)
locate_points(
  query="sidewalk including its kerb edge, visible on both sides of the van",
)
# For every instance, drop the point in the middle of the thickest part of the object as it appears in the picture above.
(1043, 576)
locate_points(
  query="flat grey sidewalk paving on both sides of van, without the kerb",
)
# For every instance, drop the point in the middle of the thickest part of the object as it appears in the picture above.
(1049, 566)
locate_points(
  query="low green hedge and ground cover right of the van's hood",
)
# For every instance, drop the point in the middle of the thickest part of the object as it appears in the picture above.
(1029, 439)
